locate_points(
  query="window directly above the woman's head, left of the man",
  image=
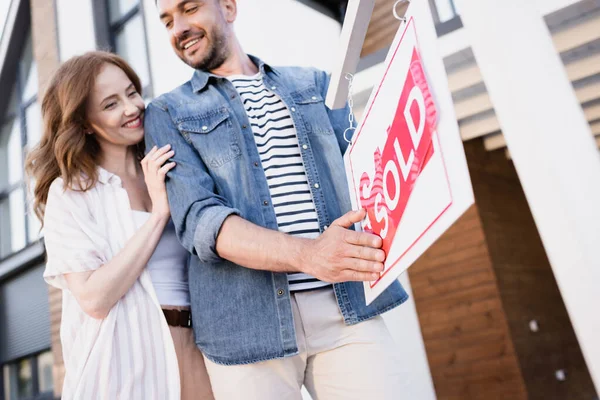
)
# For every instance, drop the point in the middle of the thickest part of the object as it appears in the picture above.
(127, 37)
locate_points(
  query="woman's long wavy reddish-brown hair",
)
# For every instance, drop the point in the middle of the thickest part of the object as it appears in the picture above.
(65, 150)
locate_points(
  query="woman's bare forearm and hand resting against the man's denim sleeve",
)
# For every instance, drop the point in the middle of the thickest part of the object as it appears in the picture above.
(98, 291)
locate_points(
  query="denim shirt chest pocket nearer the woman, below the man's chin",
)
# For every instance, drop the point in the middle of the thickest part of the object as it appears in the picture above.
(213, 136)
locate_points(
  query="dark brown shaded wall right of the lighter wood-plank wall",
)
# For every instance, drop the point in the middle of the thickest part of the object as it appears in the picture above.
(526, 282)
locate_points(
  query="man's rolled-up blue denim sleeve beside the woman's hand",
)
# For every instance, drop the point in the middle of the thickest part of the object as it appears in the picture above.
(196, 209)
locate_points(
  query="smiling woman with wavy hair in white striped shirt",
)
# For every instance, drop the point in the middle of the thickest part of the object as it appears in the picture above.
(110, 243)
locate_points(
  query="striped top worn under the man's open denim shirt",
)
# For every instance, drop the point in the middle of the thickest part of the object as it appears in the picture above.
(277, 143)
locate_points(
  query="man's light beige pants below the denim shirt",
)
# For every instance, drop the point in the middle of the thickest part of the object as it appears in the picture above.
(336, 361)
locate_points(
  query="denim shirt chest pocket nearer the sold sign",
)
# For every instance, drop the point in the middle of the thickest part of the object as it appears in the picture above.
(313, 111)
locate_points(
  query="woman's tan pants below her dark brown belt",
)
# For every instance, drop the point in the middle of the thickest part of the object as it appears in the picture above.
(192, 371)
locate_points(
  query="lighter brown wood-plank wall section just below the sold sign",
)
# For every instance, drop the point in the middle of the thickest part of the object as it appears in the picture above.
(467, 337)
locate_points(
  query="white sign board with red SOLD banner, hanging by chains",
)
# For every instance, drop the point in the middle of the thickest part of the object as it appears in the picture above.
(406, 164)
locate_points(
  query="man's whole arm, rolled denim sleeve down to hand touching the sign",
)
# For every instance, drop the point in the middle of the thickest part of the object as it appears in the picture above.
(208, 226)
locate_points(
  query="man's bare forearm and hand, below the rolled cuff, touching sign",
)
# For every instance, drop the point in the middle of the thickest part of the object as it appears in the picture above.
(338, 255)
